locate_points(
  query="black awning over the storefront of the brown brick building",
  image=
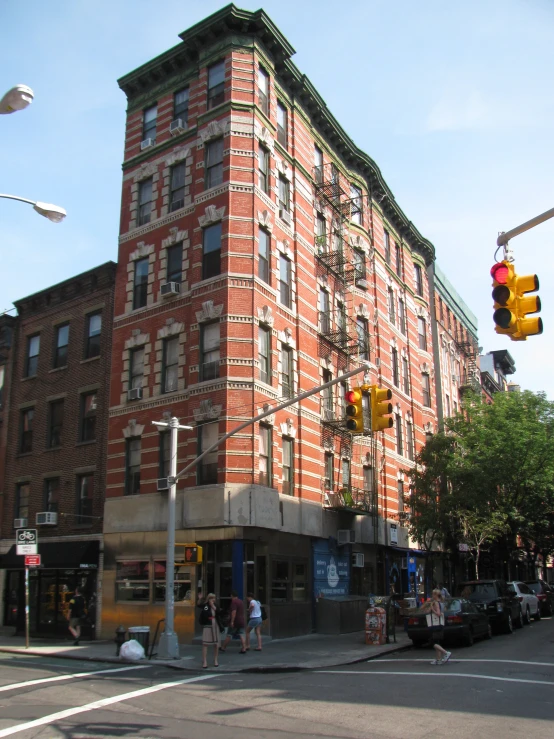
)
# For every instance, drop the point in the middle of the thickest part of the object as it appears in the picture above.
(57, 555)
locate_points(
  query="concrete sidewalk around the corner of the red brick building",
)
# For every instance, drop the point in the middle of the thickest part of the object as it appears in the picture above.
(315, 651)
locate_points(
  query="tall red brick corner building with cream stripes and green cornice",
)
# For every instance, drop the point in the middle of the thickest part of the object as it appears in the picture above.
(261, 254)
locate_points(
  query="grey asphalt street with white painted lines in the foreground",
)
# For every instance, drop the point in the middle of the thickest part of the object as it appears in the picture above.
(499, 688)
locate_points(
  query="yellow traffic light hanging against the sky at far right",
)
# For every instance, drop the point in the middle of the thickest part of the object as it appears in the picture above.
(511, 304)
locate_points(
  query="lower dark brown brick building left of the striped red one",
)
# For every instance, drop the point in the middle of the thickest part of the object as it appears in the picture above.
(55, 434)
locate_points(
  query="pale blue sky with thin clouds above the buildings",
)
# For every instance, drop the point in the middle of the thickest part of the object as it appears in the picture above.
(453, 101)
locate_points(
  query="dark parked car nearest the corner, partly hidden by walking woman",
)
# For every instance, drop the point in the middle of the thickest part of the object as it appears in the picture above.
(462, 622)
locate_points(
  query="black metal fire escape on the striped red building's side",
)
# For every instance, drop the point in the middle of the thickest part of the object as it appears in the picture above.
(341, 339)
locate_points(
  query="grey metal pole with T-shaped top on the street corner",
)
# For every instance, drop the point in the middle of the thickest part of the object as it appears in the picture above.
(168, 647)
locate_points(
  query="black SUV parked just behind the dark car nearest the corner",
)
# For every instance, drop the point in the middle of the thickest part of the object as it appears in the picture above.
(495, 599)
